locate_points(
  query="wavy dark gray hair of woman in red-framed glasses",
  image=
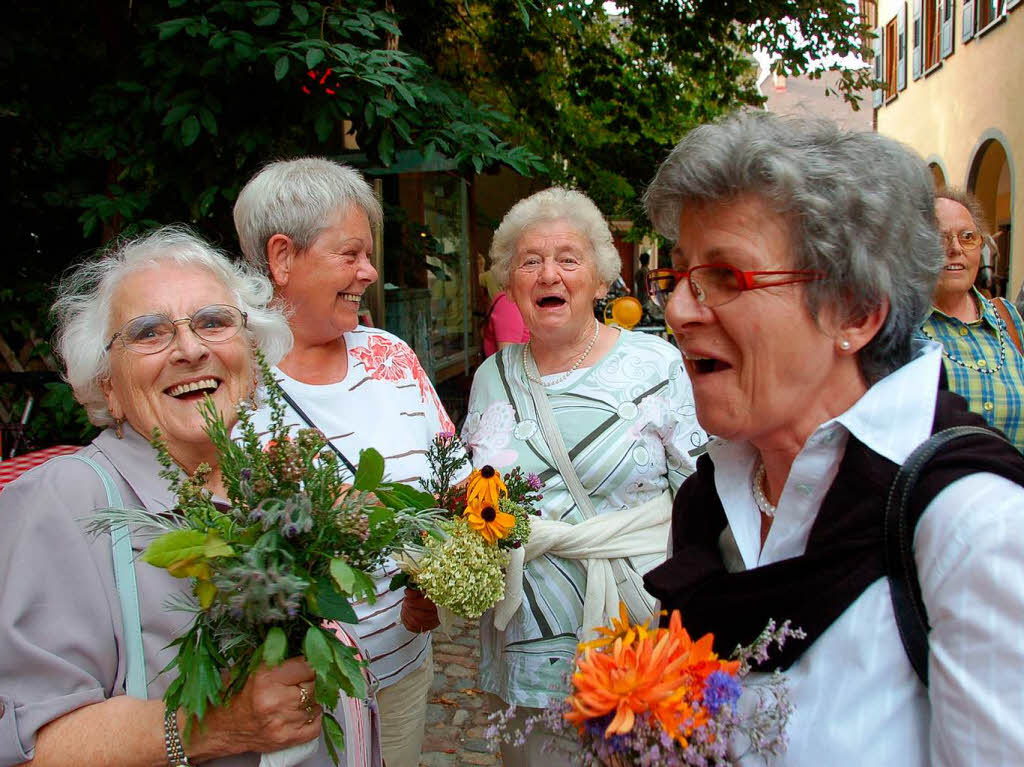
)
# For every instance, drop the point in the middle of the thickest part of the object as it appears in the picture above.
(860, 206)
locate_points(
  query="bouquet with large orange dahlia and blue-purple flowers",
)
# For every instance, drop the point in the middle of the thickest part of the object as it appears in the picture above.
(655, 697)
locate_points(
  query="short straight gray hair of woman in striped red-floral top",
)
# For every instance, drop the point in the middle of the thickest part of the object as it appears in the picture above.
(296, 198)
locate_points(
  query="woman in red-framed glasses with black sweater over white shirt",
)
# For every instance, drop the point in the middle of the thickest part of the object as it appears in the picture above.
(804, 263)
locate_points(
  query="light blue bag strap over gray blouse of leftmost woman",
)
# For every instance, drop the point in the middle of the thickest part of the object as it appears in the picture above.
(124, 578)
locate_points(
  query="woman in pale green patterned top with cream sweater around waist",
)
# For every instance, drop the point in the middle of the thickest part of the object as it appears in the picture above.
(605, 417)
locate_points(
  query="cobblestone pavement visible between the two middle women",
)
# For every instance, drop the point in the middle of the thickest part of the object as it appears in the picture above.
(457, 715)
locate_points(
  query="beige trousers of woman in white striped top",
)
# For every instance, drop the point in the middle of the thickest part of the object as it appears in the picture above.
(403, 709)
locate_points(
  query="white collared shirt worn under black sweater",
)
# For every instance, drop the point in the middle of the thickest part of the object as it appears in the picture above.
(858, 700)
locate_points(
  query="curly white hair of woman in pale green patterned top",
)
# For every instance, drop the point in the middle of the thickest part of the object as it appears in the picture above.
(556, 204)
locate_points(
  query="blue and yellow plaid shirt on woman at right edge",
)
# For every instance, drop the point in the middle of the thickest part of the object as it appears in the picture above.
(992, 388)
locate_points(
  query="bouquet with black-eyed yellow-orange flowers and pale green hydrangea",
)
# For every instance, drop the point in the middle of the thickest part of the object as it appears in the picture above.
(462, 569)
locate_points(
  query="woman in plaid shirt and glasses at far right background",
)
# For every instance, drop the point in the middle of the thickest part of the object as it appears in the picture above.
(980, 337)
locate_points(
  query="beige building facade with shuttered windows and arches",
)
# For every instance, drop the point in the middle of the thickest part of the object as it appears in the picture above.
(954, 74)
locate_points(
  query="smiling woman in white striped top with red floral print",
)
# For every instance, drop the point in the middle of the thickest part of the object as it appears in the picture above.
(309, 225)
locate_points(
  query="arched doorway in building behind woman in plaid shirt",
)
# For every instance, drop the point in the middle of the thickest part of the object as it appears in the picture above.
(991, 182)
